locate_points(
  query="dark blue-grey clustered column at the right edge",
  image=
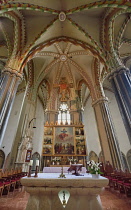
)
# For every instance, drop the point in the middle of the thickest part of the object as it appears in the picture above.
(121, 83)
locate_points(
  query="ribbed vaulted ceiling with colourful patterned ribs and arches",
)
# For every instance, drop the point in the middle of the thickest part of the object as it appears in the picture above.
(64, 38)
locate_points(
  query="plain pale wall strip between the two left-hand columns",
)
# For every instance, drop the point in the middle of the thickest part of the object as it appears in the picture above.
(12, 124)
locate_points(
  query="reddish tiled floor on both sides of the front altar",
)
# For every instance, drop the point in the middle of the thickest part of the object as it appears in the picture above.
(110, 201)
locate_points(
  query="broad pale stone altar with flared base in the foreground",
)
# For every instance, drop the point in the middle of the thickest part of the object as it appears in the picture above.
(84, 191)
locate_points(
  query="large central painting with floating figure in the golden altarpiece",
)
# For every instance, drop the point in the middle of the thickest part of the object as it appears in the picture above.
(64, 140)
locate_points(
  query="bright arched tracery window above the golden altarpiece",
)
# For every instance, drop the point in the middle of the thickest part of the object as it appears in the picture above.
(64, 114)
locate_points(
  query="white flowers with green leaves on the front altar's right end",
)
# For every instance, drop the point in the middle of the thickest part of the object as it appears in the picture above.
(94, 168)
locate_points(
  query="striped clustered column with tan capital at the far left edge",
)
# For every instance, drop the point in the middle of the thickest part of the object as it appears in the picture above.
(9, 84)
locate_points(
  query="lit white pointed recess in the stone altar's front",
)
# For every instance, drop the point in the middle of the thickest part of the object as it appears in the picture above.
(64, 197)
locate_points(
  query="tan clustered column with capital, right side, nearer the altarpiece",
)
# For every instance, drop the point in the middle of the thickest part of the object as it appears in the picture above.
(108, 140)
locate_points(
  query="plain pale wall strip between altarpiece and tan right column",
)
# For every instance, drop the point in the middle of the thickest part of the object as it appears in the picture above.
(90, 126)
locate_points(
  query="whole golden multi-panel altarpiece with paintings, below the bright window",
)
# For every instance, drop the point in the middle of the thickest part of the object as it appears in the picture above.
(63, 144)
